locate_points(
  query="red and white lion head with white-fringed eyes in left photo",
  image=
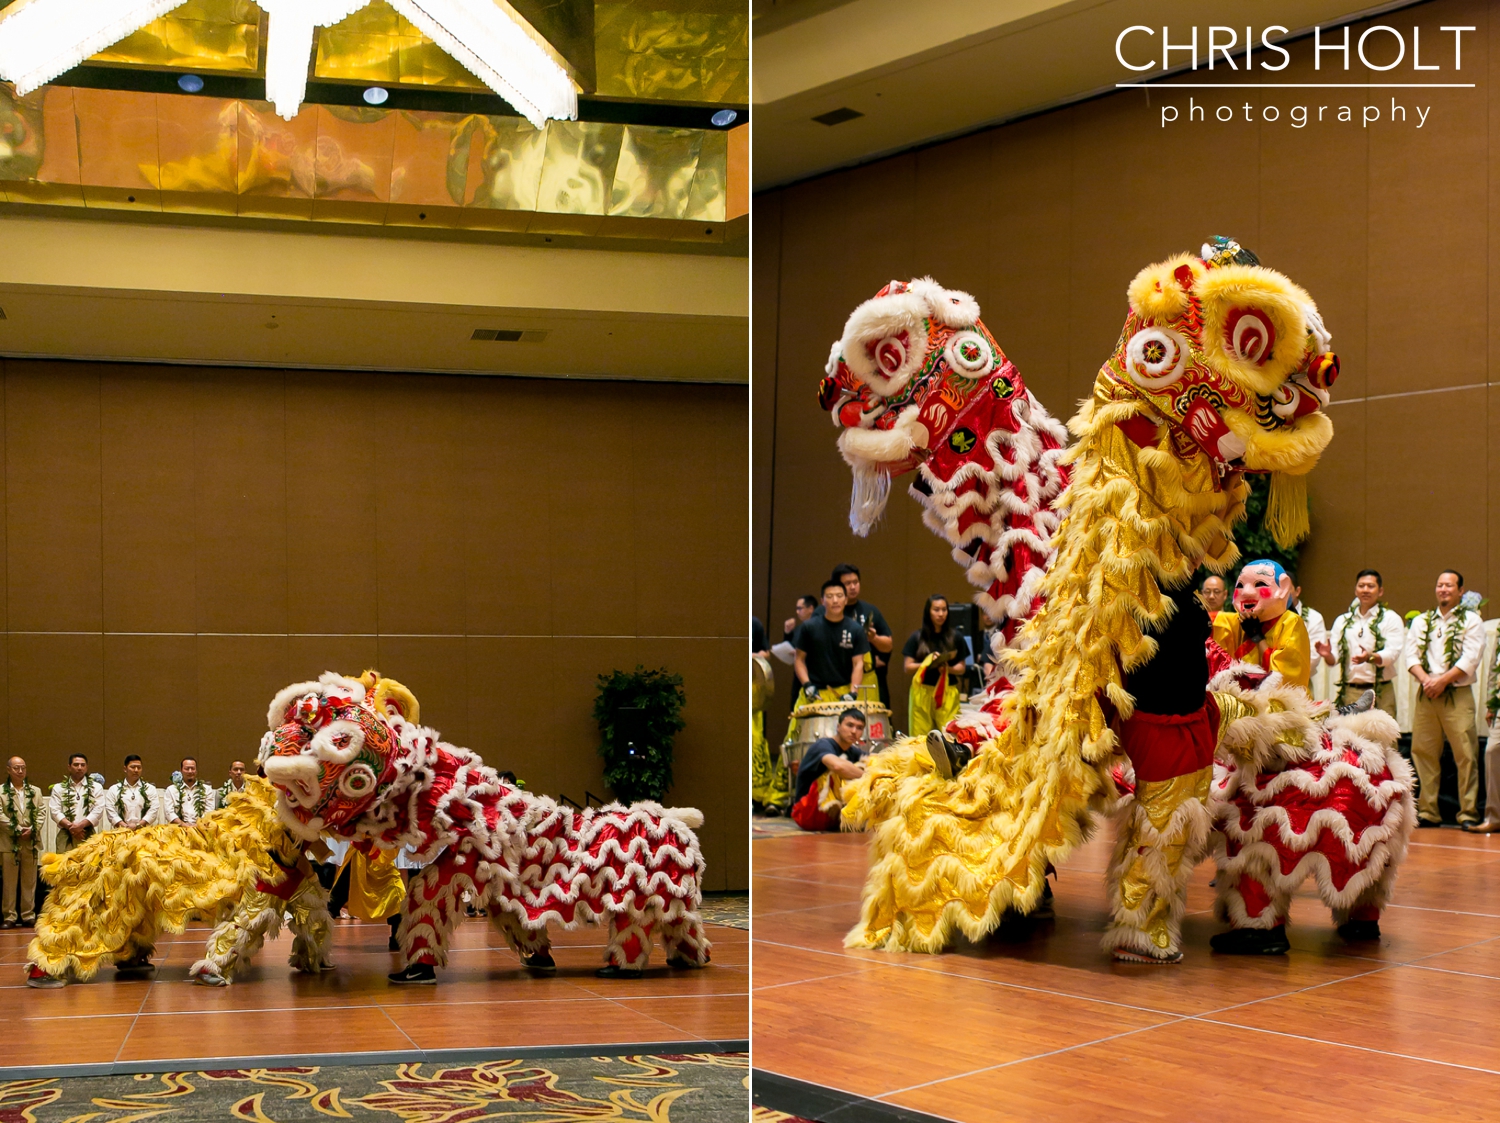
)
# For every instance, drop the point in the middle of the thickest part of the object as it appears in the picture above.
(331, 752)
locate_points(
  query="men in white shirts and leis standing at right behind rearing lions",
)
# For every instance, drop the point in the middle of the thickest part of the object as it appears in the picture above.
(1370, 647)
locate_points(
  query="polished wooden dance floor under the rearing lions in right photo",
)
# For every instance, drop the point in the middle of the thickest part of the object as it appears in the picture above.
(1043, 1026)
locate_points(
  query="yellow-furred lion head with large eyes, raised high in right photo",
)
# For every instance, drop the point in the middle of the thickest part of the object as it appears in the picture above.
(1232, 356)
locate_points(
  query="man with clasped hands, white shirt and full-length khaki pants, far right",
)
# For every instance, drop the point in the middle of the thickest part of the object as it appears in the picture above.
(1442, 653)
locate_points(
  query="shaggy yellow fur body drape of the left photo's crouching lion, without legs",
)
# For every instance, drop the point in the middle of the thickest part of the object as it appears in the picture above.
(115, 894)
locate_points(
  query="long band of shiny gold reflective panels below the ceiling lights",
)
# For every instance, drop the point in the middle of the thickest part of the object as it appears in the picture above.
(128, 151)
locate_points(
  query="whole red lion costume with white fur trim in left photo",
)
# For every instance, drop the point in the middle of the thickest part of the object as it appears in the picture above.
(352, 761)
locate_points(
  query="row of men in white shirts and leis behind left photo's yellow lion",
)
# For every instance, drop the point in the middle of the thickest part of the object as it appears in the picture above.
(79, 806)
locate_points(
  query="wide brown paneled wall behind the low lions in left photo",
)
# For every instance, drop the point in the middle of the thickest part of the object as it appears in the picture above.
(493, 544)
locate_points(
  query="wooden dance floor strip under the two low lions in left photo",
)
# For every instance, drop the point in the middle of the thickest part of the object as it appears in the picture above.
(484, 1004)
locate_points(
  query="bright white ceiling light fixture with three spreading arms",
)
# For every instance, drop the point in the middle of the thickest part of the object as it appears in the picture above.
(41, 40)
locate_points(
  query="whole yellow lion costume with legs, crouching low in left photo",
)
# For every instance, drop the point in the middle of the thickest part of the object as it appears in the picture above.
(115, 894)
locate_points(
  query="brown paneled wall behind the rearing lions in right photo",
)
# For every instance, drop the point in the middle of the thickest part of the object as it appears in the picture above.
(1046, 221)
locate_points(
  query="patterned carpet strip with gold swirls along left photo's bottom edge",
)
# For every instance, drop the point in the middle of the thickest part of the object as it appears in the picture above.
(704, 1088)
